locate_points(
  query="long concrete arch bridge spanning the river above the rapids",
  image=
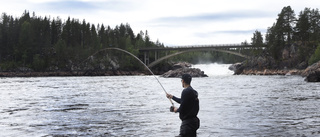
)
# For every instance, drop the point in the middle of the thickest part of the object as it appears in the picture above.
(226, 48)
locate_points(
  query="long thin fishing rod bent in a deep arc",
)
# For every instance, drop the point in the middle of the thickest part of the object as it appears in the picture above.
(139, 61)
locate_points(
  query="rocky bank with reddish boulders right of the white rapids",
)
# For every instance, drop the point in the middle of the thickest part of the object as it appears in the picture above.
(289, 63)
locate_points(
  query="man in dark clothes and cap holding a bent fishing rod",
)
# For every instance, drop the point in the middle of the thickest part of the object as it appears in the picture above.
(189, 108)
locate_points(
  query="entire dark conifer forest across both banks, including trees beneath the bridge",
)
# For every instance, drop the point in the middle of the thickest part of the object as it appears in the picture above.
(42, 44)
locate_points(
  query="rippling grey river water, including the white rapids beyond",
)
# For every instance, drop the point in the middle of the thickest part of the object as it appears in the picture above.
(137, 106)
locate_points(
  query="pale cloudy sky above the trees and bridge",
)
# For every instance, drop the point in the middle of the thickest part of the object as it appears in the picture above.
(172, 22)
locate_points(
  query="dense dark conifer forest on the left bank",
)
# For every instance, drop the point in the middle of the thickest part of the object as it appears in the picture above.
(45, 44)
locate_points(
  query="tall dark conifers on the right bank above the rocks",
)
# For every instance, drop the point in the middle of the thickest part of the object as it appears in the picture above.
(293, 37)
